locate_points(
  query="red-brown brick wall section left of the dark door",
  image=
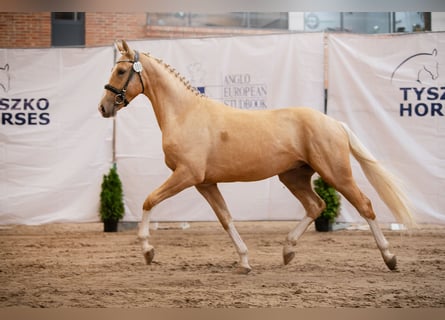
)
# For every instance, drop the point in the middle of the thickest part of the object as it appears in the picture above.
(25, 30)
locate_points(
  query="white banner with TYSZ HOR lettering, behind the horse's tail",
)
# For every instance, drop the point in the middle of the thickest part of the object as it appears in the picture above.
(391, 91)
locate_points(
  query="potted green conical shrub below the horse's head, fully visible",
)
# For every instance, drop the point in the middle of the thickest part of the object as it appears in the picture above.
(111, 201)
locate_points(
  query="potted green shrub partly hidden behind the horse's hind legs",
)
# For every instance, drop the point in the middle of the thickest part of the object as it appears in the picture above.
(332, 199)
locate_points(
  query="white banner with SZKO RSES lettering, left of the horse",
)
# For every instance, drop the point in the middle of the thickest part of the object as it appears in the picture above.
(54, 145)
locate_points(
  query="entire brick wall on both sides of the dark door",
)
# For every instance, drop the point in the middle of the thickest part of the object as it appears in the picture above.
(33, 30)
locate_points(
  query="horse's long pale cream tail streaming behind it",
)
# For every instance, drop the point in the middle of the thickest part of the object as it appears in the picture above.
(383, 182)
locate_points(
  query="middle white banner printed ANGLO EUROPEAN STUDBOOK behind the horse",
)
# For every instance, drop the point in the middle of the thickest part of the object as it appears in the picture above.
(279, 70)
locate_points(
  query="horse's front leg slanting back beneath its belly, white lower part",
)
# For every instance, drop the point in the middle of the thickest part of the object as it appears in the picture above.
(213, 196)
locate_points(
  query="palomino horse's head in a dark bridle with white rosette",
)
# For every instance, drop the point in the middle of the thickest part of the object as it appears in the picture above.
(123, 86)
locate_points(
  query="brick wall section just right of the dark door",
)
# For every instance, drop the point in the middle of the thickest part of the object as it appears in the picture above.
(105, 28)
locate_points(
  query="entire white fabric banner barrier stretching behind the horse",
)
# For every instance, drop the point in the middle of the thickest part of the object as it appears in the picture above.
(55, 146)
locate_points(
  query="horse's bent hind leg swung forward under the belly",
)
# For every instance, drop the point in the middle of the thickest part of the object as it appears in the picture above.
(298, 181)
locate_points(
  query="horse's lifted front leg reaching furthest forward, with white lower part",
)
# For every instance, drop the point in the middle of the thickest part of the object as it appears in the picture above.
(178, 181)
